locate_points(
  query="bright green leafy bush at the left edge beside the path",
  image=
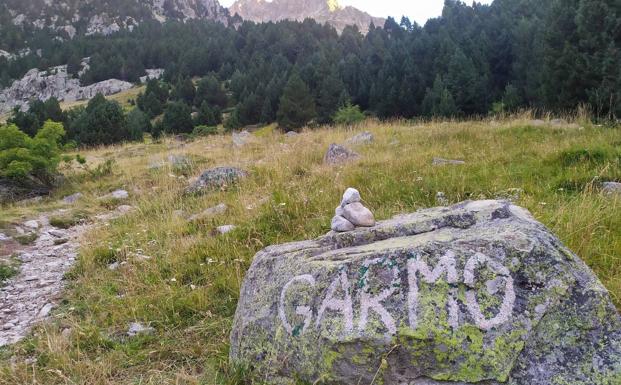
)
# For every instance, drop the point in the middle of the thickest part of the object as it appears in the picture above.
(23, 158)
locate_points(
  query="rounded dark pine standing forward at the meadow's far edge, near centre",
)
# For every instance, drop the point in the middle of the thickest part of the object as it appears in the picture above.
(297, 106)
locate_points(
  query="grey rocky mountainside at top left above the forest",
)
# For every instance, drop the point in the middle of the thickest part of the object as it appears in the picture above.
(71, 17)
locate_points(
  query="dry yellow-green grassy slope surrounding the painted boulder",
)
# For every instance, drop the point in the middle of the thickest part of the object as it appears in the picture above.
(188, 291)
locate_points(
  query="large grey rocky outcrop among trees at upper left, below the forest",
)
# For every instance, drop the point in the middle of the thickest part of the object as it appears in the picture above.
(55, 82)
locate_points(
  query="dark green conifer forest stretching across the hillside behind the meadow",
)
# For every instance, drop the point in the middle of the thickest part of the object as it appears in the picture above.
(552, 55)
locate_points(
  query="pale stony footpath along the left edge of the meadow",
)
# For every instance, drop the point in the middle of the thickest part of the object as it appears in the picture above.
(29, 297)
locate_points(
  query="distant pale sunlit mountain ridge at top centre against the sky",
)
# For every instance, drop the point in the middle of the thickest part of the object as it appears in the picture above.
(323, 11)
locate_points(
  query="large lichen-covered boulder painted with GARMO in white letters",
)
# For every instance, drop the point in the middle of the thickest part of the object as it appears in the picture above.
(476, 293)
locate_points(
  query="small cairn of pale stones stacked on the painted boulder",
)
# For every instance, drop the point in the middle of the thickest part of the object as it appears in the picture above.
(351, 213)
